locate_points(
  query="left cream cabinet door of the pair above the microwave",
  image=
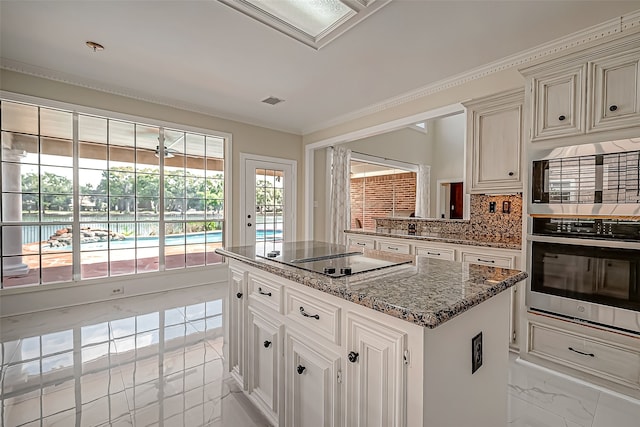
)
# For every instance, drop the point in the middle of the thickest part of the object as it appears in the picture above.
(557, 104)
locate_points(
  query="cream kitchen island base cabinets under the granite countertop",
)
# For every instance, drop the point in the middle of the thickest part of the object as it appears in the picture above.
(344, 364)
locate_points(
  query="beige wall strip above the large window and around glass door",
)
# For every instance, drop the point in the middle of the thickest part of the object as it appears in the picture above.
(246, 138)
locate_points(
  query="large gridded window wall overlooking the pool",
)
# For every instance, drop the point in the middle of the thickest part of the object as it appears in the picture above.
(111, 195)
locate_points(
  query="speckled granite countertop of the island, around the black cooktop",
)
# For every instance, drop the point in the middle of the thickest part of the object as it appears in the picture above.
(427, 292)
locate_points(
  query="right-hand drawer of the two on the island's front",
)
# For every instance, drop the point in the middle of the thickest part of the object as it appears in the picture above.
(313, 314)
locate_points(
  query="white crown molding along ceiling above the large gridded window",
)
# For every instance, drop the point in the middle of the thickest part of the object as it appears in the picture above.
(72, 79)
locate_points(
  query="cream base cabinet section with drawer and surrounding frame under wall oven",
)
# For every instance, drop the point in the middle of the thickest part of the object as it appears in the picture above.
(611, 358)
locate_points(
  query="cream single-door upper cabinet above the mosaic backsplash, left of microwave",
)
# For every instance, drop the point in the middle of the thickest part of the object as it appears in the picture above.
(494, 143)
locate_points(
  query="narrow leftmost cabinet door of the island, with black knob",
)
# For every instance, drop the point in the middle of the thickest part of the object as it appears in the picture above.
(236, 338)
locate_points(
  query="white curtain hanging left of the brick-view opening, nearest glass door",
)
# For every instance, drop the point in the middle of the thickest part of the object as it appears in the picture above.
(340, 197)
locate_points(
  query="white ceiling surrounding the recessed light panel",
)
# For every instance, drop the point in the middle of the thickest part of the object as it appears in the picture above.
(205, 56)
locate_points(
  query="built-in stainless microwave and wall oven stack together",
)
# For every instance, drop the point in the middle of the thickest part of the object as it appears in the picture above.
(583, 251)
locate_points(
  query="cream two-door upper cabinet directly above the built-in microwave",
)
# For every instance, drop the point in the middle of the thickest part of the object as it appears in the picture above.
(587, 92)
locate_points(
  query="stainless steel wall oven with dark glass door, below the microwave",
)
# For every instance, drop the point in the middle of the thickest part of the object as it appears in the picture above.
(586, 269)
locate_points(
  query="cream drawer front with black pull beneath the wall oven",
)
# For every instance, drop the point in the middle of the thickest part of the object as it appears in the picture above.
(601, 358)
